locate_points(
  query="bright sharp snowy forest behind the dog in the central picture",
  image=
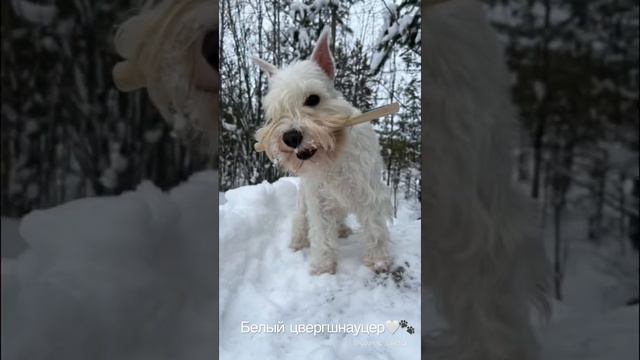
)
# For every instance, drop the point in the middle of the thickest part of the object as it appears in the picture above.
(377, 53)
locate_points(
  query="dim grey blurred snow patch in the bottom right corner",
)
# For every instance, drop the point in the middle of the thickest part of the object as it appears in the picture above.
(593, 322)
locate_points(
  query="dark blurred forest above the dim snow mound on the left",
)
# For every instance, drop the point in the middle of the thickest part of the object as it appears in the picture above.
(67, 132)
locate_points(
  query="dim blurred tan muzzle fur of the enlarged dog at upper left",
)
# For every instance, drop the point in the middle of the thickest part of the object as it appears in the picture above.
(162, 47)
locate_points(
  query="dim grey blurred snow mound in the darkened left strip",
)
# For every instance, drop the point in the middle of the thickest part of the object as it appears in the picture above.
(126, 277)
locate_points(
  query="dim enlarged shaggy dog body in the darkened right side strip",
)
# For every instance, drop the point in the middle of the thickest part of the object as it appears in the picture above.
(483, 260)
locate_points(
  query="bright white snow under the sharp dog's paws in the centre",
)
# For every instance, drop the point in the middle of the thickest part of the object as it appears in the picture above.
(263, 282)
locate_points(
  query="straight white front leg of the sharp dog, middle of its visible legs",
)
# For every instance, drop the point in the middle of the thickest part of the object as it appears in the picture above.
(323, 233)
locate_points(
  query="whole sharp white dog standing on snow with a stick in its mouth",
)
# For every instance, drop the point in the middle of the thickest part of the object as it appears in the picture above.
(340, 169)
